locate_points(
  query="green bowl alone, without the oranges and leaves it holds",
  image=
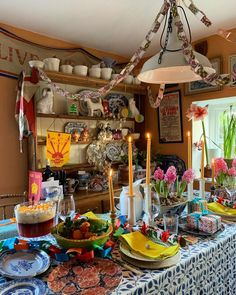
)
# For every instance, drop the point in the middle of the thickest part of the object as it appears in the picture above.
(85, 243)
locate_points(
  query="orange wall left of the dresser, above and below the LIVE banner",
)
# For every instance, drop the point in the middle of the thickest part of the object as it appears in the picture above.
(13, 172)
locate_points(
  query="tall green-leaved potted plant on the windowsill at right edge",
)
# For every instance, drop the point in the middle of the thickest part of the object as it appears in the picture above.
(228, 120)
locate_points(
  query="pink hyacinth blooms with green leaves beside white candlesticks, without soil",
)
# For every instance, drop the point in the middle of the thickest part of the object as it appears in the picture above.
(164, 184)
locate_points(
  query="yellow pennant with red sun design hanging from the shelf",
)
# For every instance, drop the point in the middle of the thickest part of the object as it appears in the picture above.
(58, 148)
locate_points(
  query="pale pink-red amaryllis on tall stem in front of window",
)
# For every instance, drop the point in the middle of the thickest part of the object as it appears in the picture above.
(198, 113)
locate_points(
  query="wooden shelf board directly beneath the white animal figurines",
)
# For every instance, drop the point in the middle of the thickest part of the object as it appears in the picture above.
(77, 117)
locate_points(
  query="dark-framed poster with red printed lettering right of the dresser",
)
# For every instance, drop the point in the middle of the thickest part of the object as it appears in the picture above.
(170, 118)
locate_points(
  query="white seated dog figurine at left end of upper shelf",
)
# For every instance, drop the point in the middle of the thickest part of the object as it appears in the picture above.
(45, 103)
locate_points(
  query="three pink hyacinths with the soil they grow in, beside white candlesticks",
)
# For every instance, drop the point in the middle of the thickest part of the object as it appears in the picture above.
(169, 187)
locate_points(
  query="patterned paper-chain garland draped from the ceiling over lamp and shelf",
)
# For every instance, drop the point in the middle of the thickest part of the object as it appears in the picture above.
(213, 79)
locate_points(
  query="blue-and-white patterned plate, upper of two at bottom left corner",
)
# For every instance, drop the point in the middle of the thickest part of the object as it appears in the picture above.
(23, 264)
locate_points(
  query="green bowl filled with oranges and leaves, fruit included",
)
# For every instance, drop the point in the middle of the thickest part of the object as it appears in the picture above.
(82, 232)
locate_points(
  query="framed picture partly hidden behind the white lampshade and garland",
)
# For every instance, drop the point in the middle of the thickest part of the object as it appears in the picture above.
(201, 86)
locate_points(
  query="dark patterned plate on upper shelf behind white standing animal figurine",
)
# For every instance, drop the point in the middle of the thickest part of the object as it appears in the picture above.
(116, 102)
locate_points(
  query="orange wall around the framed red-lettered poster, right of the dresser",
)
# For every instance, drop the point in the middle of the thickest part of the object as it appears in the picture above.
(216, 47)
